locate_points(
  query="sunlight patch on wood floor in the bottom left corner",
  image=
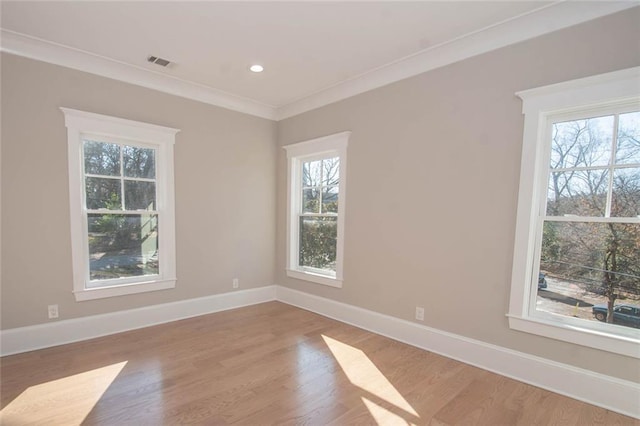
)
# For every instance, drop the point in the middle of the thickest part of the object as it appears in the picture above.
(65, 401)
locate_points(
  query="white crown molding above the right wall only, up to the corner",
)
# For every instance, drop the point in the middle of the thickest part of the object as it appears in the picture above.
(520, 28)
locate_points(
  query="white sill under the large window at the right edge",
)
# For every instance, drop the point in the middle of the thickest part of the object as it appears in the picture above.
(623, 345)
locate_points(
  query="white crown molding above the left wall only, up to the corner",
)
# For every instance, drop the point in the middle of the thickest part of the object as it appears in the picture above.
(46, 51)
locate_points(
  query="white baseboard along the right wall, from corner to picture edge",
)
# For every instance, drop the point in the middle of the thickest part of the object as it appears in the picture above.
(598, 389)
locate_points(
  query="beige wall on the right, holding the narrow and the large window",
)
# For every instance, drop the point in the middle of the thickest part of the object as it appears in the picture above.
(433, 183)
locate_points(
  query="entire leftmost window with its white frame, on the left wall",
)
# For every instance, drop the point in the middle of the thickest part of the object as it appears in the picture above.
(122, 212)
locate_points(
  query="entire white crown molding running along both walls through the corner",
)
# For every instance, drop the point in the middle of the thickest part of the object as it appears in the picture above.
(547, 19)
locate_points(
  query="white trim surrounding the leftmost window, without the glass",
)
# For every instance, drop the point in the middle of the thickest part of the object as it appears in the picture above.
(163, 139)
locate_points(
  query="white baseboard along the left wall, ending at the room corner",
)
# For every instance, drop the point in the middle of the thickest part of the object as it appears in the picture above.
(23, 339)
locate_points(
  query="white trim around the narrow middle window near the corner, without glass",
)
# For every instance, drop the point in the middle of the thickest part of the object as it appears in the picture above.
(326, 146)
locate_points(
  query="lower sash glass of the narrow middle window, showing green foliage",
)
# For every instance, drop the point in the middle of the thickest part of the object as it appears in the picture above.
(318, 242)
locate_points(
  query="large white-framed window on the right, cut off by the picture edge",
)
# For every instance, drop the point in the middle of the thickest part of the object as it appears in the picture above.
(578, 223)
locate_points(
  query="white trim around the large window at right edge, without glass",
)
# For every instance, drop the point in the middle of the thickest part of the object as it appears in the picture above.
(539, 104)
